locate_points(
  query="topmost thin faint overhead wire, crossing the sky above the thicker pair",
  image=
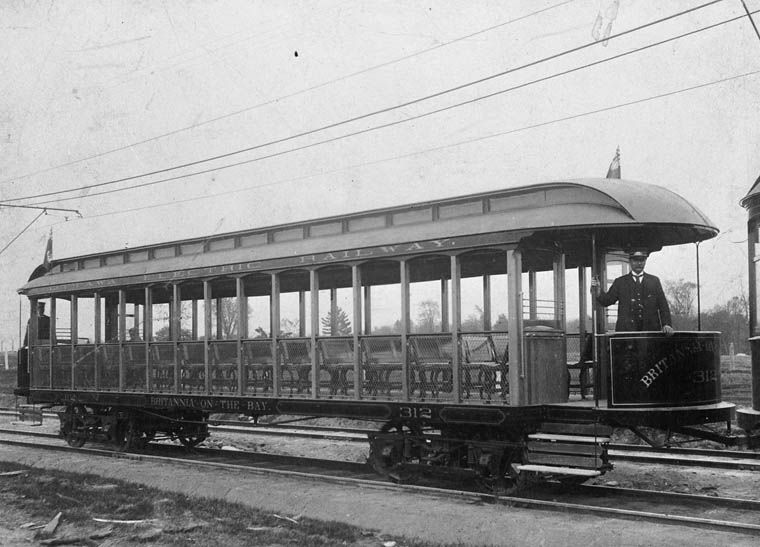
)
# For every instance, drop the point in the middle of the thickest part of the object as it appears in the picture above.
(287, 96)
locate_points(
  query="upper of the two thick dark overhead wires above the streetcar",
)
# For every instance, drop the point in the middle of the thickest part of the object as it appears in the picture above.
(350, 120)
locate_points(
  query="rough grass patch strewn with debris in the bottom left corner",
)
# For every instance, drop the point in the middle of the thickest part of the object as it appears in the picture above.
(36, 495)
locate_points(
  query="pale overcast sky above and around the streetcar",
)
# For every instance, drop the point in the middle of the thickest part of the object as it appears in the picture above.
(332, 104)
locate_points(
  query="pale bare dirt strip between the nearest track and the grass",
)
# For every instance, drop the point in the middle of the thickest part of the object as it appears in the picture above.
(435, 520)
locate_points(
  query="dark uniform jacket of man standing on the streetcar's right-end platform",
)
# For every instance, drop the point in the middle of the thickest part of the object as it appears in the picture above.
(641, 306)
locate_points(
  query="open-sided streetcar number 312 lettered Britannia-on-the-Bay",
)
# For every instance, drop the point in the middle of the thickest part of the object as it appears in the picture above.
(462, 326)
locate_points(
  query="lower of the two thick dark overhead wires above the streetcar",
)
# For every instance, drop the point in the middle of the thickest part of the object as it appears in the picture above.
(406, 120)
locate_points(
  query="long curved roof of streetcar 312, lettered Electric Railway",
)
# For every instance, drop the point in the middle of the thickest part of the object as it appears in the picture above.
(618, 209)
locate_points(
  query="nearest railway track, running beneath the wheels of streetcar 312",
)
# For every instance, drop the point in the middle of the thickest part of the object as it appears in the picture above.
(726, 514)
